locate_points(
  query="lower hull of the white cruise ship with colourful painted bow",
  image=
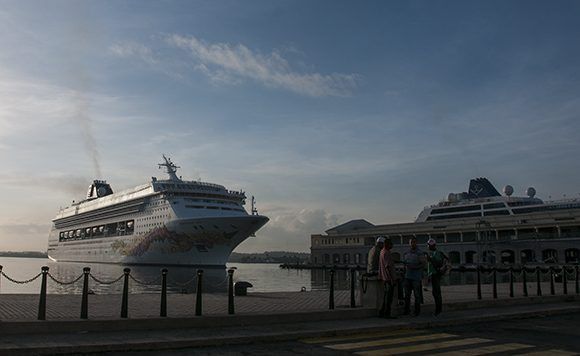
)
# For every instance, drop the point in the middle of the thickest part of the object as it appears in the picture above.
(206, 241)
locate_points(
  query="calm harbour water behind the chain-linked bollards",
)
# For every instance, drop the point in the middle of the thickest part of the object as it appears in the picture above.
(264, 277)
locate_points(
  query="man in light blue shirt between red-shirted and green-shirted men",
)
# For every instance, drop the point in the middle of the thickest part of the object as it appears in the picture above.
(414, 261)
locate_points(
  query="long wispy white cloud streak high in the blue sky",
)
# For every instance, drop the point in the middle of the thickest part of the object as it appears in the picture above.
(224, 63)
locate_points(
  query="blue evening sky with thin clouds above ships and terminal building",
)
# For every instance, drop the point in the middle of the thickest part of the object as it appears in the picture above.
(325, 111)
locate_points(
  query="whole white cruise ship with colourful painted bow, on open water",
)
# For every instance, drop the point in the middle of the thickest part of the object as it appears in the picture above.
(164, 222)
